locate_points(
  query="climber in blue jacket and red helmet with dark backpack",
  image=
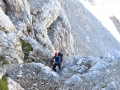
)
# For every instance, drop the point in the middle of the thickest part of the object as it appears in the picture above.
(57, 61)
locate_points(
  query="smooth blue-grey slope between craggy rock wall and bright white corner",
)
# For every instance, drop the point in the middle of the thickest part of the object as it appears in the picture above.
(90, 36)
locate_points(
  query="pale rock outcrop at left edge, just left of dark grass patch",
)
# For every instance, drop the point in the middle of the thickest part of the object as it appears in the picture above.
(11, 47)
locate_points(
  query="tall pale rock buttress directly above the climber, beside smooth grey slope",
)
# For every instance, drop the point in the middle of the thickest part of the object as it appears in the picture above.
(50, 26)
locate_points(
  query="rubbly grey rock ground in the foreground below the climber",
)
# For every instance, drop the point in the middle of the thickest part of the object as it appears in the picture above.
(83, 73)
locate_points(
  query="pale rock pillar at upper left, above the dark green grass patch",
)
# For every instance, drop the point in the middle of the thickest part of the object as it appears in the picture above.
(19, 13)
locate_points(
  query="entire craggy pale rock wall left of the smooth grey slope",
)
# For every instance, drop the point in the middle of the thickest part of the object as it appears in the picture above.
(33, 22)
